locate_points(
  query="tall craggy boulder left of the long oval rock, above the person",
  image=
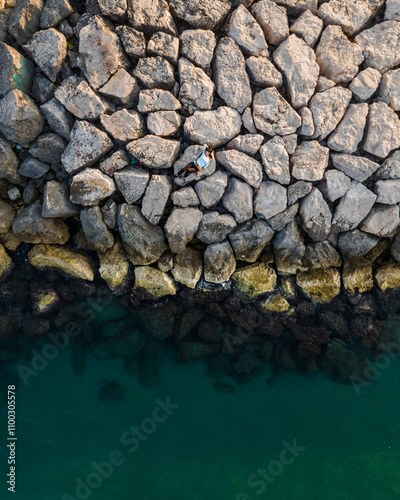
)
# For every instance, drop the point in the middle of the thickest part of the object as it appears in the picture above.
(196, 90)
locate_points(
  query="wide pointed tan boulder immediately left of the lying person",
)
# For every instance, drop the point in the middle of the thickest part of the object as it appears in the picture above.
(154, 152)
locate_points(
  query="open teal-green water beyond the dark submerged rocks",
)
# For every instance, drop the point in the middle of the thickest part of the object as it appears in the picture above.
(209, 446)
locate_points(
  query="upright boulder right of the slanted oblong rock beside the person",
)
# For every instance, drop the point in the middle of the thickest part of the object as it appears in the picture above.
(275, 159)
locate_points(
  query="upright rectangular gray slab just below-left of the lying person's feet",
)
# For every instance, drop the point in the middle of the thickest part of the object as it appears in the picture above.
(156, 197)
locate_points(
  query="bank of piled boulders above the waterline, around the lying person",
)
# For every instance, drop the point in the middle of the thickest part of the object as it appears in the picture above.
(300, 103)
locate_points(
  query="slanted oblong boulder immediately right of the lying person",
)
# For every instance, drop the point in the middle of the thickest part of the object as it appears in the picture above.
(241, 165)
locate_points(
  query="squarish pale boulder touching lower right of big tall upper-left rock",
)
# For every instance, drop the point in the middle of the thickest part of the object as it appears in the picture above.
(121, 89)
